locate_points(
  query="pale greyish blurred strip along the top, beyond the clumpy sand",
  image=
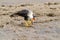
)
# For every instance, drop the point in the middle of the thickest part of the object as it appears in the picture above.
(25, 1)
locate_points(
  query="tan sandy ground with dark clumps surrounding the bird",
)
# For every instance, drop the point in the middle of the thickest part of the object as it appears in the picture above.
(45, 27)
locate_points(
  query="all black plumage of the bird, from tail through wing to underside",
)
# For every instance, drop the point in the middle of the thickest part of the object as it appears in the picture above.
(23, 13)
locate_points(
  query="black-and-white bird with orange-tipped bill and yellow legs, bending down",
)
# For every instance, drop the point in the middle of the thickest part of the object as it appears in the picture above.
(28, 16)
